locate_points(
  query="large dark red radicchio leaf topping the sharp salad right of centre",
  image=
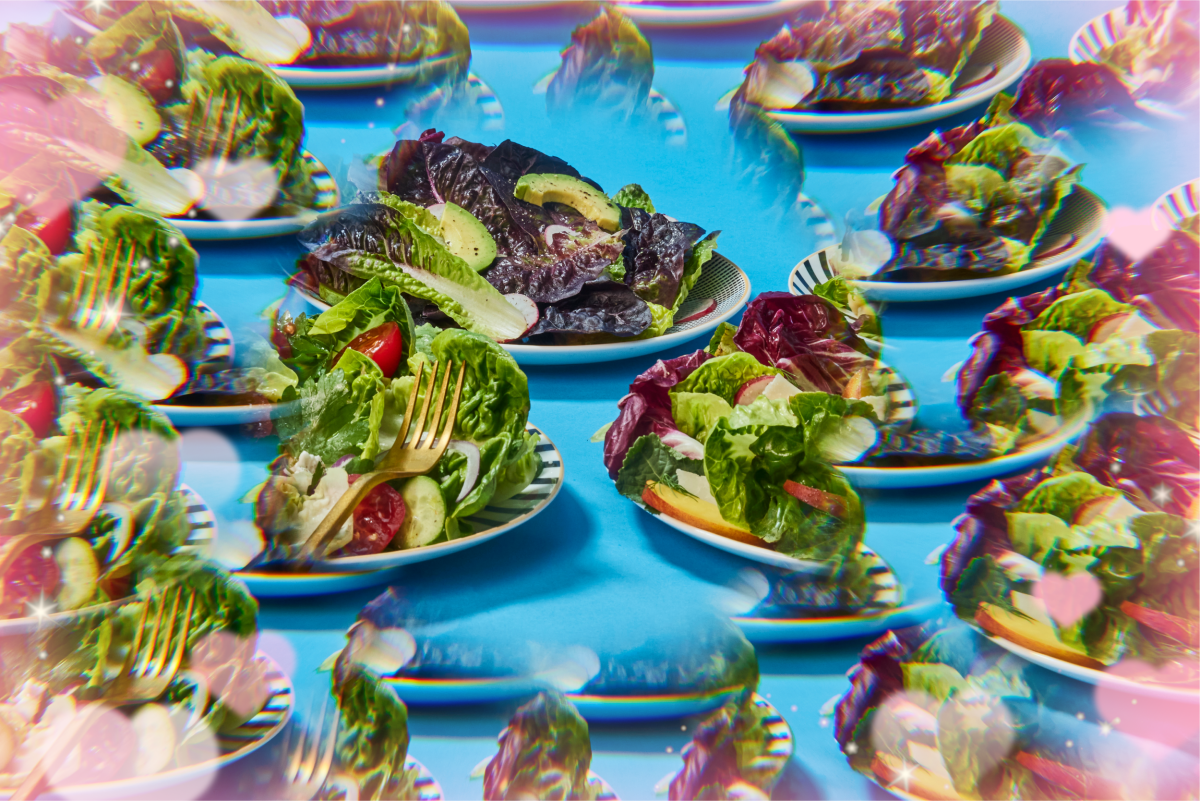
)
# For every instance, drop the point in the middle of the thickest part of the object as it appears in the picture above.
(805, 336)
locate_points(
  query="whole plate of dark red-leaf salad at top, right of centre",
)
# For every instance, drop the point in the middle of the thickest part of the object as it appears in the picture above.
(801, 79)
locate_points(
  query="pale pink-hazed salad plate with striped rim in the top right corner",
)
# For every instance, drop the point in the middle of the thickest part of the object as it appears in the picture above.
(1153, 47)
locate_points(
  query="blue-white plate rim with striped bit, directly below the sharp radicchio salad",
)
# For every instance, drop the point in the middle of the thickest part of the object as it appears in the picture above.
(815, 630)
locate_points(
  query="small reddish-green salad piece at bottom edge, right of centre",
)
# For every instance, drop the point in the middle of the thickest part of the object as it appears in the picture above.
(731, 757)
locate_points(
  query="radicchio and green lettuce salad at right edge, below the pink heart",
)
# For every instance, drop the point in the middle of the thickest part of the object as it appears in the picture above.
(1117, 329)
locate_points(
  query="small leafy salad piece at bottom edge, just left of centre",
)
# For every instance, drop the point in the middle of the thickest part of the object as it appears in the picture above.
(544, 755)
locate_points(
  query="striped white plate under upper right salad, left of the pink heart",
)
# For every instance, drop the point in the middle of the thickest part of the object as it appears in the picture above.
(1081, 219)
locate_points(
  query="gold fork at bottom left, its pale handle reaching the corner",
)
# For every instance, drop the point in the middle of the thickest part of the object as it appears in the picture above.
(152, 665)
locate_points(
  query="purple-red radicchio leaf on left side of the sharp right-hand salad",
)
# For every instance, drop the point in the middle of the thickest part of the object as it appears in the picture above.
(647, 408)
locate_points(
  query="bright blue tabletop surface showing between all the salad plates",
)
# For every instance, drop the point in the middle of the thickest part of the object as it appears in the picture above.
(592, 555)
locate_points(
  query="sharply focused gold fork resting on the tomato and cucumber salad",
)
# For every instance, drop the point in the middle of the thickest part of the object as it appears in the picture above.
(406, 459)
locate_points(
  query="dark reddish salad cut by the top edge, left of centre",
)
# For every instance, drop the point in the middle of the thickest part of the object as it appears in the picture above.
(356, 34)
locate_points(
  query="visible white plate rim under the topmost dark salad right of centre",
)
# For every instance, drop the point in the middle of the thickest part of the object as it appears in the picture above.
(1000, 59)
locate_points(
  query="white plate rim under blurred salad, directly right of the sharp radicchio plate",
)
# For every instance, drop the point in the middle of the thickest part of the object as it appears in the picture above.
(1024, 459)
